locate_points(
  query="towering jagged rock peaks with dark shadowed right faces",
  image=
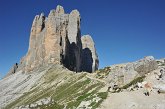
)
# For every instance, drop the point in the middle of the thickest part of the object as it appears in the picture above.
(56, 39)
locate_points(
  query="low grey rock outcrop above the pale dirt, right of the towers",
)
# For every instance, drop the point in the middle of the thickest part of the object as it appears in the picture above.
(123, 74)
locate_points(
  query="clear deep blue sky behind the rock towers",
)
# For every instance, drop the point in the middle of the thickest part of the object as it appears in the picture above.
(123, 30)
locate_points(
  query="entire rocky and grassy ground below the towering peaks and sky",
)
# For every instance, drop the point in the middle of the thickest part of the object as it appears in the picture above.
(117, 87)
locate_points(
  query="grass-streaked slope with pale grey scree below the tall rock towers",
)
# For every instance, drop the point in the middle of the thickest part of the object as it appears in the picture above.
(53, 88)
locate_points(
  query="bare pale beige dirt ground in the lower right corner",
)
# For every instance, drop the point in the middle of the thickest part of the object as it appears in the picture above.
(134, 100)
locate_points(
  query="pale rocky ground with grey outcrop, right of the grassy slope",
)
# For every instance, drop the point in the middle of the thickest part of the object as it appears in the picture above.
(129, 83)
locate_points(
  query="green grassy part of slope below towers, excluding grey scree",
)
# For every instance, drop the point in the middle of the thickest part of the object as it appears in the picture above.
(65, 87)
